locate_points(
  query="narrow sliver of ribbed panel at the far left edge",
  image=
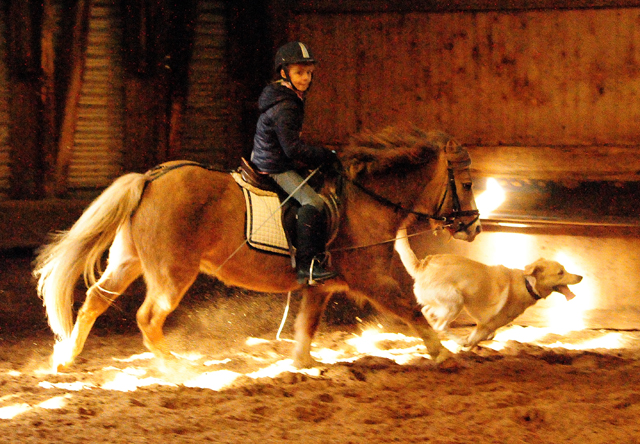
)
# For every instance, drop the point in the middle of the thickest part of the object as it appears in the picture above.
(5, 171)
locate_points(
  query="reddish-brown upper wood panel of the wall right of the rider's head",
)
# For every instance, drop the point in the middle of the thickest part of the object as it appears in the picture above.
(528, 77)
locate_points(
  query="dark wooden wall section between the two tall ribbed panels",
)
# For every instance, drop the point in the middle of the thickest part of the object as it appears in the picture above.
(158, 40)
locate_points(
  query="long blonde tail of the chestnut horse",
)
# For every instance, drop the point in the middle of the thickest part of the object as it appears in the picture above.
(79, 250)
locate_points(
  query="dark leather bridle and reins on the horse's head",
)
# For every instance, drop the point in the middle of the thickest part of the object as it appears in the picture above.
(450, 220)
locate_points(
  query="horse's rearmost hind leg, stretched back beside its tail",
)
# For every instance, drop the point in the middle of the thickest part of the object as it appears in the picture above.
(122, 269)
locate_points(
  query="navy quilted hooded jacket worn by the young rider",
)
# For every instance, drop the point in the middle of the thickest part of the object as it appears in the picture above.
(277, 146)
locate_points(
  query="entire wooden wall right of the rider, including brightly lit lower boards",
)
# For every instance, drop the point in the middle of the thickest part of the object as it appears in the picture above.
(544, 94)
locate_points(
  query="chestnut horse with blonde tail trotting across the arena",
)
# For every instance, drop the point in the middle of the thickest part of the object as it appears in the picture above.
(170, 227)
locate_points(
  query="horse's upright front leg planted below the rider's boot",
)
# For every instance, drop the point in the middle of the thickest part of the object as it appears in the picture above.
(314, 301)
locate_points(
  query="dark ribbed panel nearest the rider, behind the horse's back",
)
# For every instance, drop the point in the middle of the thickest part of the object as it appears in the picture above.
(207, 131)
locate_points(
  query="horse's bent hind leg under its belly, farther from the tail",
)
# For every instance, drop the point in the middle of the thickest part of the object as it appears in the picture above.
(164, 292)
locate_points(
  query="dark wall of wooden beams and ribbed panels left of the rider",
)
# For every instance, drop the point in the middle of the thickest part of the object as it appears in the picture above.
(96, 88)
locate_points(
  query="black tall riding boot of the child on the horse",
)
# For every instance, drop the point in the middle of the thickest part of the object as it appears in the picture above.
(311, 229)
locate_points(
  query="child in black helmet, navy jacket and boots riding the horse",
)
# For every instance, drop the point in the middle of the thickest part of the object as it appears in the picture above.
(278, 151)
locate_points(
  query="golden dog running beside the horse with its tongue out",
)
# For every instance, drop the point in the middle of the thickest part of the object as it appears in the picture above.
(492, 295)
